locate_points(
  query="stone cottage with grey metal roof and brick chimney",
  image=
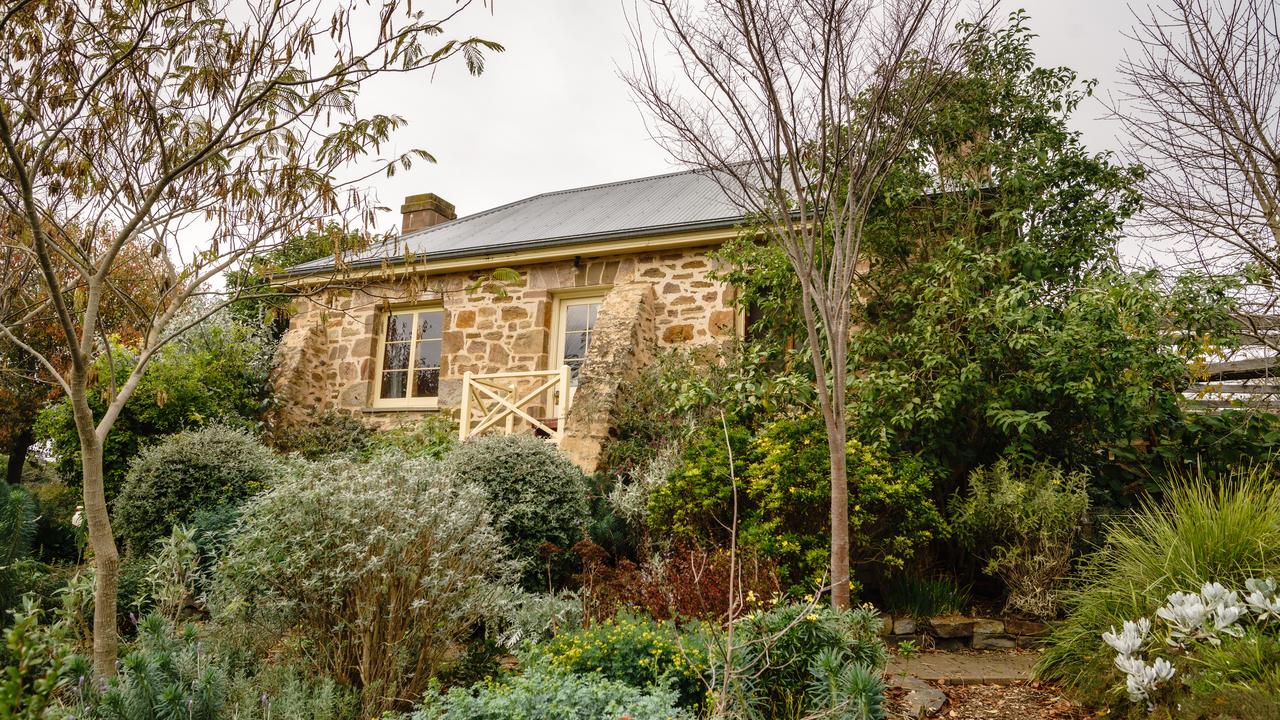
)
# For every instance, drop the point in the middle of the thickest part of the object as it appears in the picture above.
(522, 318)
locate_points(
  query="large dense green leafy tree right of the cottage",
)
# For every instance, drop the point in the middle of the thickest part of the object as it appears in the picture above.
(998, 320)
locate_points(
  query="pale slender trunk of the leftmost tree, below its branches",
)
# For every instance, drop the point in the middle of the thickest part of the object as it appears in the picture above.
(107, 558)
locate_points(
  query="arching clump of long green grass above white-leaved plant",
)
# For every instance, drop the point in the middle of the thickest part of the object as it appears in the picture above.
(1199, 532)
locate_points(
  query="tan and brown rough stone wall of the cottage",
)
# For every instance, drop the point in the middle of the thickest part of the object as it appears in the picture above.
(488, 327)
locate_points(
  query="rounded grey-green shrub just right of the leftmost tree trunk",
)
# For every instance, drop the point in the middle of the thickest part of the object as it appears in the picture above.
(189, 472)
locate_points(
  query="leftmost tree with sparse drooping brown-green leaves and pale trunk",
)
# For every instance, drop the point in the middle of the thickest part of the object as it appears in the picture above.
(204, 130)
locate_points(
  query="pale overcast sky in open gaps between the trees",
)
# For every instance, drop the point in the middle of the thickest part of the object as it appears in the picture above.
(551, 113)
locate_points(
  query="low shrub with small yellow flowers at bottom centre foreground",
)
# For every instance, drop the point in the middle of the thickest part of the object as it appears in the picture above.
(638, 651)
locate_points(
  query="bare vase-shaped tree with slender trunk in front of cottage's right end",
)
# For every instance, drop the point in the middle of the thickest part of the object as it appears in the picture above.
(799, 110)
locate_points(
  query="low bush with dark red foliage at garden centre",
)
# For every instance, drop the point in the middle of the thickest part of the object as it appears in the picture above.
(685, 584)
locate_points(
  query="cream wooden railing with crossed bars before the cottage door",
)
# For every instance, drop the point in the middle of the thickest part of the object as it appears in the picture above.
(508, 402)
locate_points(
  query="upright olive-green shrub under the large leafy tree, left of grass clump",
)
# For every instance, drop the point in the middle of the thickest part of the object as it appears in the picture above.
(1025, 522)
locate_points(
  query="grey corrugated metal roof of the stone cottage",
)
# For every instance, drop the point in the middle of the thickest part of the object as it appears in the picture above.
(632, 208)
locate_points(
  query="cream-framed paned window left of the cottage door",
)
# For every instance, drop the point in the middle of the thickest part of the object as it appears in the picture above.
(413, 347)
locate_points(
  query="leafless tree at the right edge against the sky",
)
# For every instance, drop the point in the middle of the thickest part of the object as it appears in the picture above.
(1201, 106)
